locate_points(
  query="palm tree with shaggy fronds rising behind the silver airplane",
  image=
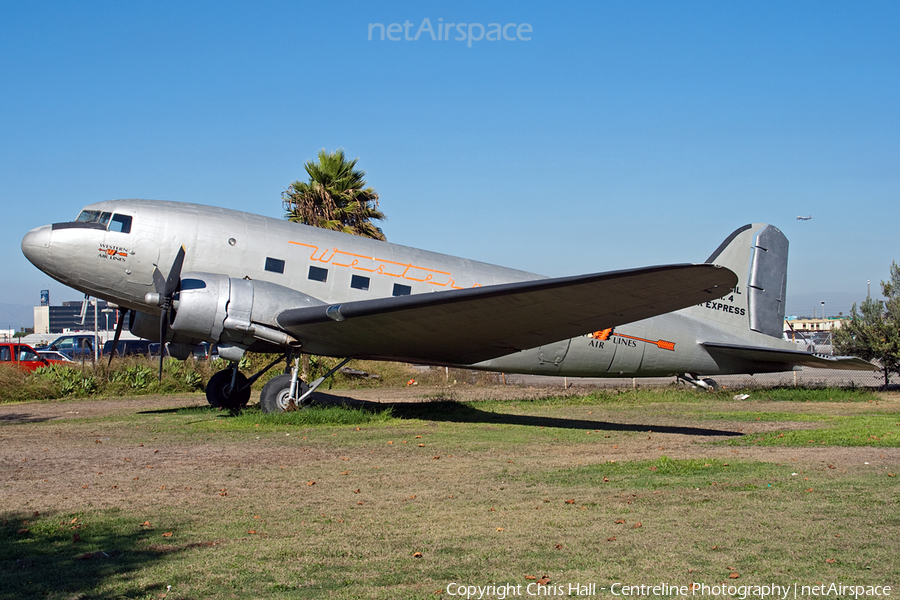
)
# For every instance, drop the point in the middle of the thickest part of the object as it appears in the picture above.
(336, 197)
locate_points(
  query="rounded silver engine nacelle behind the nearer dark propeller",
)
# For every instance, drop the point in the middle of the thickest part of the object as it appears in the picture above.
(234, 312)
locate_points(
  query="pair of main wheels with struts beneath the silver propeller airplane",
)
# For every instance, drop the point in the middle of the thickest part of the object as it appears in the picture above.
(230, 389)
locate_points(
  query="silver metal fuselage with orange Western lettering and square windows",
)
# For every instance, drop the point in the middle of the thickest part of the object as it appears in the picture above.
(119, 267)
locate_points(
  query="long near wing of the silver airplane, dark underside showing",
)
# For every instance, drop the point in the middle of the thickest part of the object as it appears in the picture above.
(475, 324)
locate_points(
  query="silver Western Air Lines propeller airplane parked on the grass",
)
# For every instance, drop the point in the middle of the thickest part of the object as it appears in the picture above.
(247, 282)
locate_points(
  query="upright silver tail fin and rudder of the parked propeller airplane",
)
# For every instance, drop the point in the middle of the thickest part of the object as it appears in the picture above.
(758, 254)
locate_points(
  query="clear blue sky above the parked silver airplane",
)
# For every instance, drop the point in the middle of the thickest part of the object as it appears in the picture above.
(621, 134)
